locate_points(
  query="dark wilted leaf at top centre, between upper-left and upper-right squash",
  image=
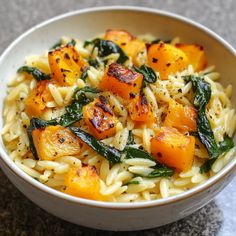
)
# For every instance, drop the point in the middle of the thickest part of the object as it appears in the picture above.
(106, 47)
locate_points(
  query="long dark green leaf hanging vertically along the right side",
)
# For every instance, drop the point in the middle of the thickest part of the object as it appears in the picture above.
(202, 91)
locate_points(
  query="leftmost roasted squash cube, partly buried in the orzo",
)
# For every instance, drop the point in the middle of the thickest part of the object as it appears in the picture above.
(35, 103)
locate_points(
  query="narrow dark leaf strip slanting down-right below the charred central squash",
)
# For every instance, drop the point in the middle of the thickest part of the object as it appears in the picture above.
(112, 154)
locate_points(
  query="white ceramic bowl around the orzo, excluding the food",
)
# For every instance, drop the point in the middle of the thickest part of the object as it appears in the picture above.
(85, 24)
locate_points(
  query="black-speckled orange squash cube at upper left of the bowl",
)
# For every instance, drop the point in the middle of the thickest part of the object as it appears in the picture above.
(66, 65)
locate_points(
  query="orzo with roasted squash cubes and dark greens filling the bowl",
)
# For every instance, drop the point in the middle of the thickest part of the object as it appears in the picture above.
(119, 118)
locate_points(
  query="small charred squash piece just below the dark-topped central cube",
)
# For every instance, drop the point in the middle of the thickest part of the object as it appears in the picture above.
(140, 110)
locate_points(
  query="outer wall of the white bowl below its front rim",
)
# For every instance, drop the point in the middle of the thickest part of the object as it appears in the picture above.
(115, 218)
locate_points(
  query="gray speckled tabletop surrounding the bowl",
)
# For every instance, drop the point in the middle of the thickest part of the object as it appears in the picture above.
(19, 216)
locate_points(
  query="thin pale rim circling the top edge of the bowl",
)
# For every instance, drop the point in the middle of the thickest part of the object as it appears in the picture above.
(13, 168)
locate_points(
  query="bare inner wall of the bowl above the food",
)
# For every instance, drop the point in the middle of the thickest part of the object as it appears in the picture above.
(90, 23)
